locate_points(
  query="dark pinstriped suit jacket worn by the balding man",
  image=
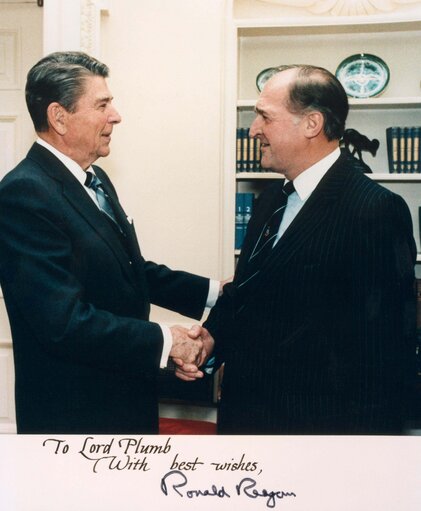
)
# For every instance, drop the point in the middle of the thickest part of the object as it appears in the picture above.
(320, 345)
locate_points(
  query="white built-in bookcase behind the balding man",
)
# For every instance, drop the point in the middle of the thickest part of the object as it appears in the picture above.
(261, 43)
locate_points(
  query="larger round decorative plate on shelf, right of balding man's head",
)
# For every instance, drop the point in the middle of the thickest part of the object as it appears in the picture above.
(363, 75)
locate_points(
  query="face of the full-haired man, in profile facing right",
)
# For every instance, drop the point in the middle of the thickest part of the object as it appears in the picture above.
(89, 128)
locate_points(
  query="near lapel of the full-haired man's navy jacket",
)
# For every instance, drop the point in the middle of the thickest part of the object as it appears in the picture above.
(81, 202)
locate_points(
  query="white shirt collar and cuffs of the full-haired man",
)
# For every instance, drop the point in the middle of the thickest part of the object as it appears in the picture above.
(80, 175)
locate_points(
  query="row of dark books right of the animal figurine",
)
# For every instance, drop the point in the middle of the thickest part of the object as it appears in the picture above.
(403, 149)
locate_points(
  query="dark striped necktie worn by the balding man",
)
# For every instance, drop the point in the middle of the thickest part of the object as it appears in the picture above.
(267, 236)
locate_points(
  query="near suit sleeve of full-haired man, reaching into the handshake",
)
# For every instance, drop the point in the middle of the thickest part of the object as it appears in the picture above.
(43, 294)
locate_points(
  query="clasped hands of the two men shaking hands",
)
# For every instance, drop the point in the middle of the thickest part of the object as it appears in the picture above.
(190, 350)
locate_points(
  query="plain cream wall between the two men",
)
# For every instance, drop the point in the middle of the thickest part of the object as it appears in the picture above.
(166, 61)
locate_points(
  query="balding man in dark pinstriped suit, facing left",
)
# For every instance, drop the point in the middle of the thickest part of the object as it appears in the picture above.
(317, 334)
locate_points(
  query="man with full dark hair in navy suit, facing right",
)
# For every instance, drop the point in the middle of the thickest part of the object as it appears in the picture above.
(76, 287)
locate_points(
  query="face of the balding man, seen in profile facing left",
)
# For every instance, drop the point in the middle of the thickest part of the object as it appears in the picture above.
(280, 132)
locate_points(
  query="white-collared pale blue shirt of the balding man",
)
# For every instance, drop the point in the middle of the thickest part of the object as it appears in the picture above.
(305, 184)
